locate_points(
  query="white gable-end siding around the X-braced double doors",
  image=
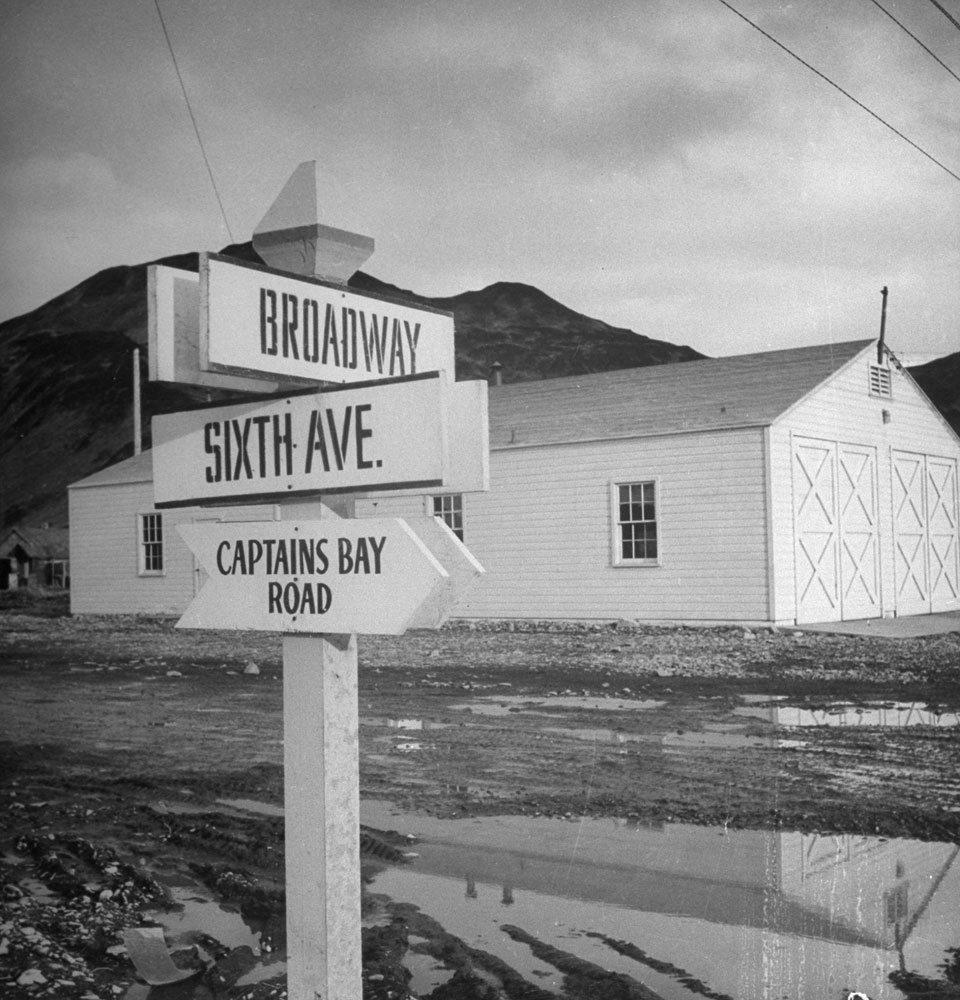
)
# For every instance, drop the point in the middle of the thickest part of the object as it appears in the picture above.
(842, 410)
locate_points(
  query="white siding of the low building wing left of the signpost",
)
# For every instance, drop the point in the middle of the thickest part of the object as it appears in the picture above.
(104, 550)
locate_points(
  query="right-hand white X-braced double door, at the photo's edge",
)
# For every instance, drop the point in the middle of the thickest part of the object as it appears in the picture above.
(925, 538)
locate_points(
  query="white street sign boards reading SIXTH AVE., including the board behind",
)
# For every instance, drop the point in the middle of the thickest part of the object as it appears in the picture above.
(380, 436)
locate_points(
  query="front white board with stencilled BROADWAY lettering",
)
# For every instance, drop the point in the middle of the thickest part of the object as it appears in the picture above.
(255, 320)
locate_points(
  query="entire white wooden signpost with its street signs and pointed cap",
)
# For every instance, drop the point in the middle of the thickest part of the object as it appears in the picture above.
(400, 423)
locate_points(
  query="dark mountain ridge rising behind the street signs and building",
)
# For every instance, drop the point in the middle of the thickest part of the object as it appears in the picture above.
(66, 370)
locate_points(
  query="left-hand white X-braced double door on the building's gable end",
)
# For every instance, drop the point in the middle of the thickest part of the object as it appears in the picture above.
(836, 531)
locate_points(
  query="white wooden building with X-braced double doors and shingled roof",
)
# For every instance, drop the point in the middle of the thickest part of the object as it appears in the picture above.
(813, 484)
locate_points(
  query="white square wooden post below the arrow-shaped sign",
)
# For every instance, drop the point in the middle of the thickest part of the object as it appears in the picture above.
(322, 805)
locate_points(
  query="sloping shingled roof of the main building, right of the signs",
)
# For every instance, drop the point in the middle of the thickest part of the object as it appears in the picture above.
(747, 390)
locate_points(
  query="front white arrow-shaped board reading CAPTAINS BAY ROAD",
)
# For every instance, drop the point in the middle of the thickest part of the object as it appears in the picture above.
(331, 575)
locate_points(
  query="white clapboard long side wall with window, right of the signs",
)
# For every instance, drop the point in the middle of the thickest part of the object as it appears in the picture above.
(543, 531)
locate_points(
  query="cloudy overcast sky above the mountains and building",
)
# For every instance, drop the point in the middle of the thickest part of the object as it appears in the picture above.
(660, 166)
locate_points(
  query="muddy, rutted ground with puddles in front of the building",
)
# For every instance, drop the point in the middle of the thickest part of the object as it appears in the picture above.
(618, 778)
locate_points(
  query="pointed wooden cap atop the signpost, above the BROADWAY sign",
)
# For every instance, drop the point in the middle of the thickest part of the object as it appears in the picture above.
(291, 238)
